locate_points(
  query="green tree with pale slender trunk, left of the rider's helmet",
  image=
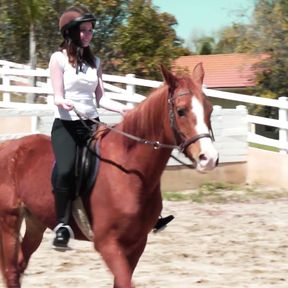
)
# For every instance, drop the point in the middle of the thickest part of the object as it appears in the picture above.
(28, 29)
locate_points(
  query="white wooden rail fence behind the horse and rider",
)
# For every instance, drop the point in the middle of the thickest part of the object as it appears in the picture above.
(232, 127)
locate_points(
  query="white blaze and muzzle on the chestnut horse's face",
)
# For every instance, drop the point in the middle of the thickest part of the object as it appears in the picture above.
(208, 154)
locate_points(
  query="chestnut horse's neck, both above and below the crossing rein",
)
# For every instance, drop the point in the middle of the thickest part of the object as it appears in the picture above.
(150, 123)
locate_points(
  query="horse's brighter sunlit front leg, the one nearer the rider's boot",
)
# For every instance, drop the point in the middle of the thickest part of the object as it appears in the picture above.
(117, 262)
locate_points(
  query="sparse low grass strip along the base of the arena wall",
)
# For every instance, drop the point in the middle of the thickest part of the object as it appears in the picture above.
(220, 192)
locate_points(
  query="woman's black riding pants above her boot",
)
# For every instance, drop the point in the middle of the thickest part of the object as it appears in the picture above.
(66, 136)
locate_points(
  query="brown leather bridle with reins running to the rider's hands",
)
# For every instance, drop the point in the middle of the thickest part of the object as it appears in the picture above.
(184, 143)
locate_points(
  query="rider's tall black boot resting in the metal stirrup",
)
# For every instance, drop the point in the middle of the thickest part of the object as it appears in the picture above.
(63, 231)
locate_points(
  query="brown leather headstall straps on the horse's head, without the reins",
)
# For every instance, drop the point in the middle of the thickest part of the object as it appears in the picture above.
(178, 135)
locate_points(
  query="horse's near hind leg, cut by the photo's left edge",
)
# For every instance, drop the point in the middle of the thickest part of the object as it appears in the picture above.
(9, 237)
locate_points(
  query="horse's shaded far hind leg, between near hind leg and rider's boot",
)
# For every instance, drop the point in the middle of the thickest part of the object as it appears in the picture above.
(32, 239)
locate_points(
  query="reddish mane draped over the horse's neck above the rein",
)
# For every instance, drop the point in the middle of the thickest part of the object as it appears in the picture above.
(144, 119)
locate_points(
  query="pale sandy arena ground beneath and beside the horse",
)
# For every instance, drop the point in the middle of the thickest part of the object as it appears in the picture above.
(238, 244)
